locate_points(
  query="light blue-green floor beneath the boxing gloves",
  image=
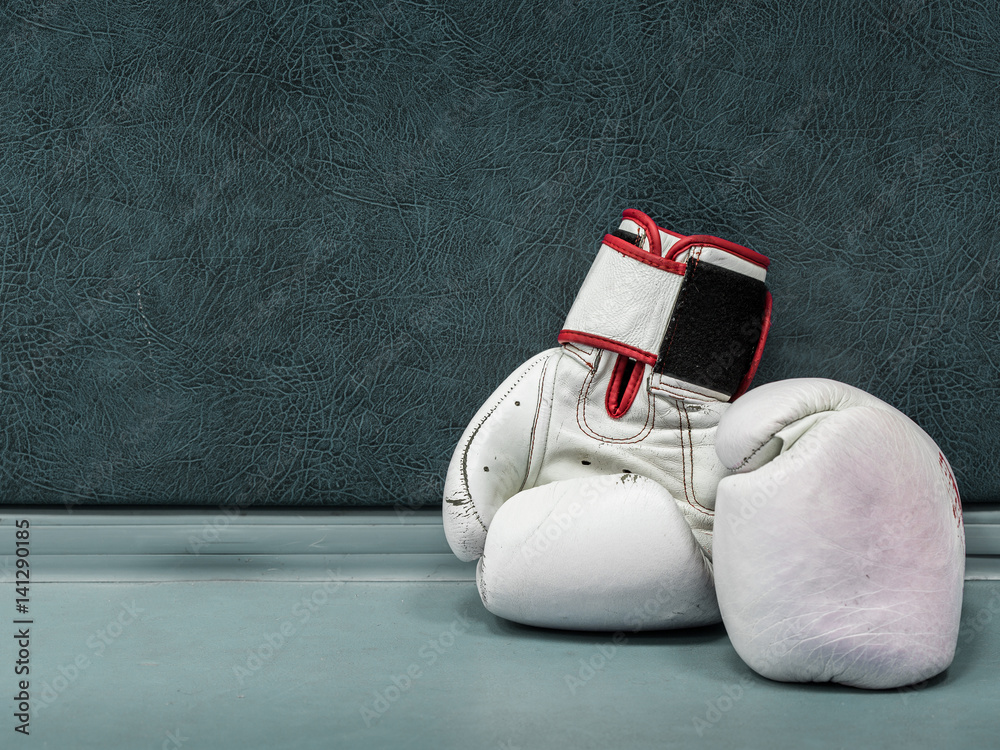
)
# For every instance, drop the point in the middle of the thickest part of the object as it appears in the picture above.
(423, 665)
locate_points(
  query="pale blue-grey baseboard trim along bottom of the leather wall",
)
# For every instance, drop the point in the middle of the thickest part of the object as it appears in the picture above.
(219, 544)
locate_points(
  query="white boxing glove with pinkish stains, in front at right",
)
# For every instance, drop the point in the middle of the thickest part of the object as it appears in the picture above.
(839, 546)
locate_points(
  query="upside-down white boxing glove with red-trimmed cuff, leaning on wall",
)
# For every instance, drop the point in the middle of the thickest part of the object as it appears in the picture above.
(585, 485)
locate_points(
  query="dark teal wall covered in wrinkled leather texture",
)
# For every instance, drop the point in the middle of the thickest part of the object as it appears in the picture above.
(278, 252)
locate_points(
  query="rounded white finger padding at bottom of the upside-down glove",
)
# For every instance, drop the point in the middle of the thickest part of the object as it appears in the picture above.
(608, 552)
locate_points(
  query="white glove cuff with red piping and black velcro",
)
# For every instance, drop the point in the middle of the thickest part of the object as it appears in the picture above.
(696, 308)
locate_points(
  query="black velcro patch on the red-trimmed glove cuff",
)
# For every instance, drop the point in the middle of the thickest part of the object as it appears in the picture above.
(715, 328)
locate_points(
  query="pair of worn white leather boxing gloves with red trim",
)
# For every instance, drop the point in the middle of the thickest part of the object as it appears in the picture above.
(625, 481)
